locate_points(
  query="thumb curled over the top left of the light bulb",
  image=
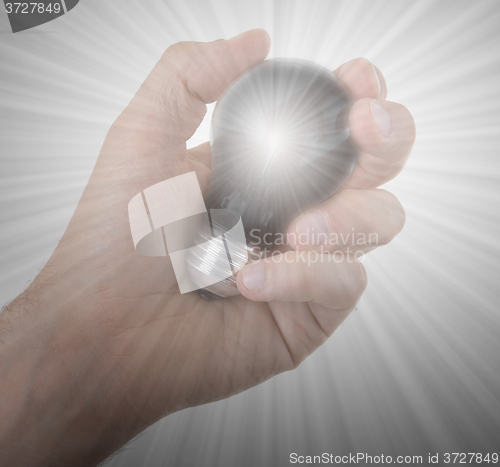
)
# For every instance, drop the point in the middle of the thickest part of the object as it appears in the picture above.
(170, 104)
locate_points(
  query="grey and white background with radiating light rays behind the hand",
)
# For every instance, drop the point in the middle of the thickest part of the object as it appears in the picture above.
(416, 368)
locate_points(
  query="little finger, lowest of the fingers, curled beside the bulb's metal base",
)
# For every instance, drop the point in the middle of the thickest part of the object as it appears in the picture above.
(324, 279)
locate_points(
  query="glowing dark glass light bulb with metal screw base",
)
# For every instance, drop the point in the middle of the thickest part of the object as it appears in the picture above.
(280, 144)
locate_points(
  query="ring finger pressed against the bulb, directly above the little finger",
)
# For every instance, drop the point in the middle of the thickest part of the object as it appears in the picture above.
(359, 220)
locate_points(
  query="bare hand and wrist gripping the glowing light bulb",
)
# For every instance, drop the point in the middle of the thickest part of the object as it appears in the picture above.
(101, 345)
